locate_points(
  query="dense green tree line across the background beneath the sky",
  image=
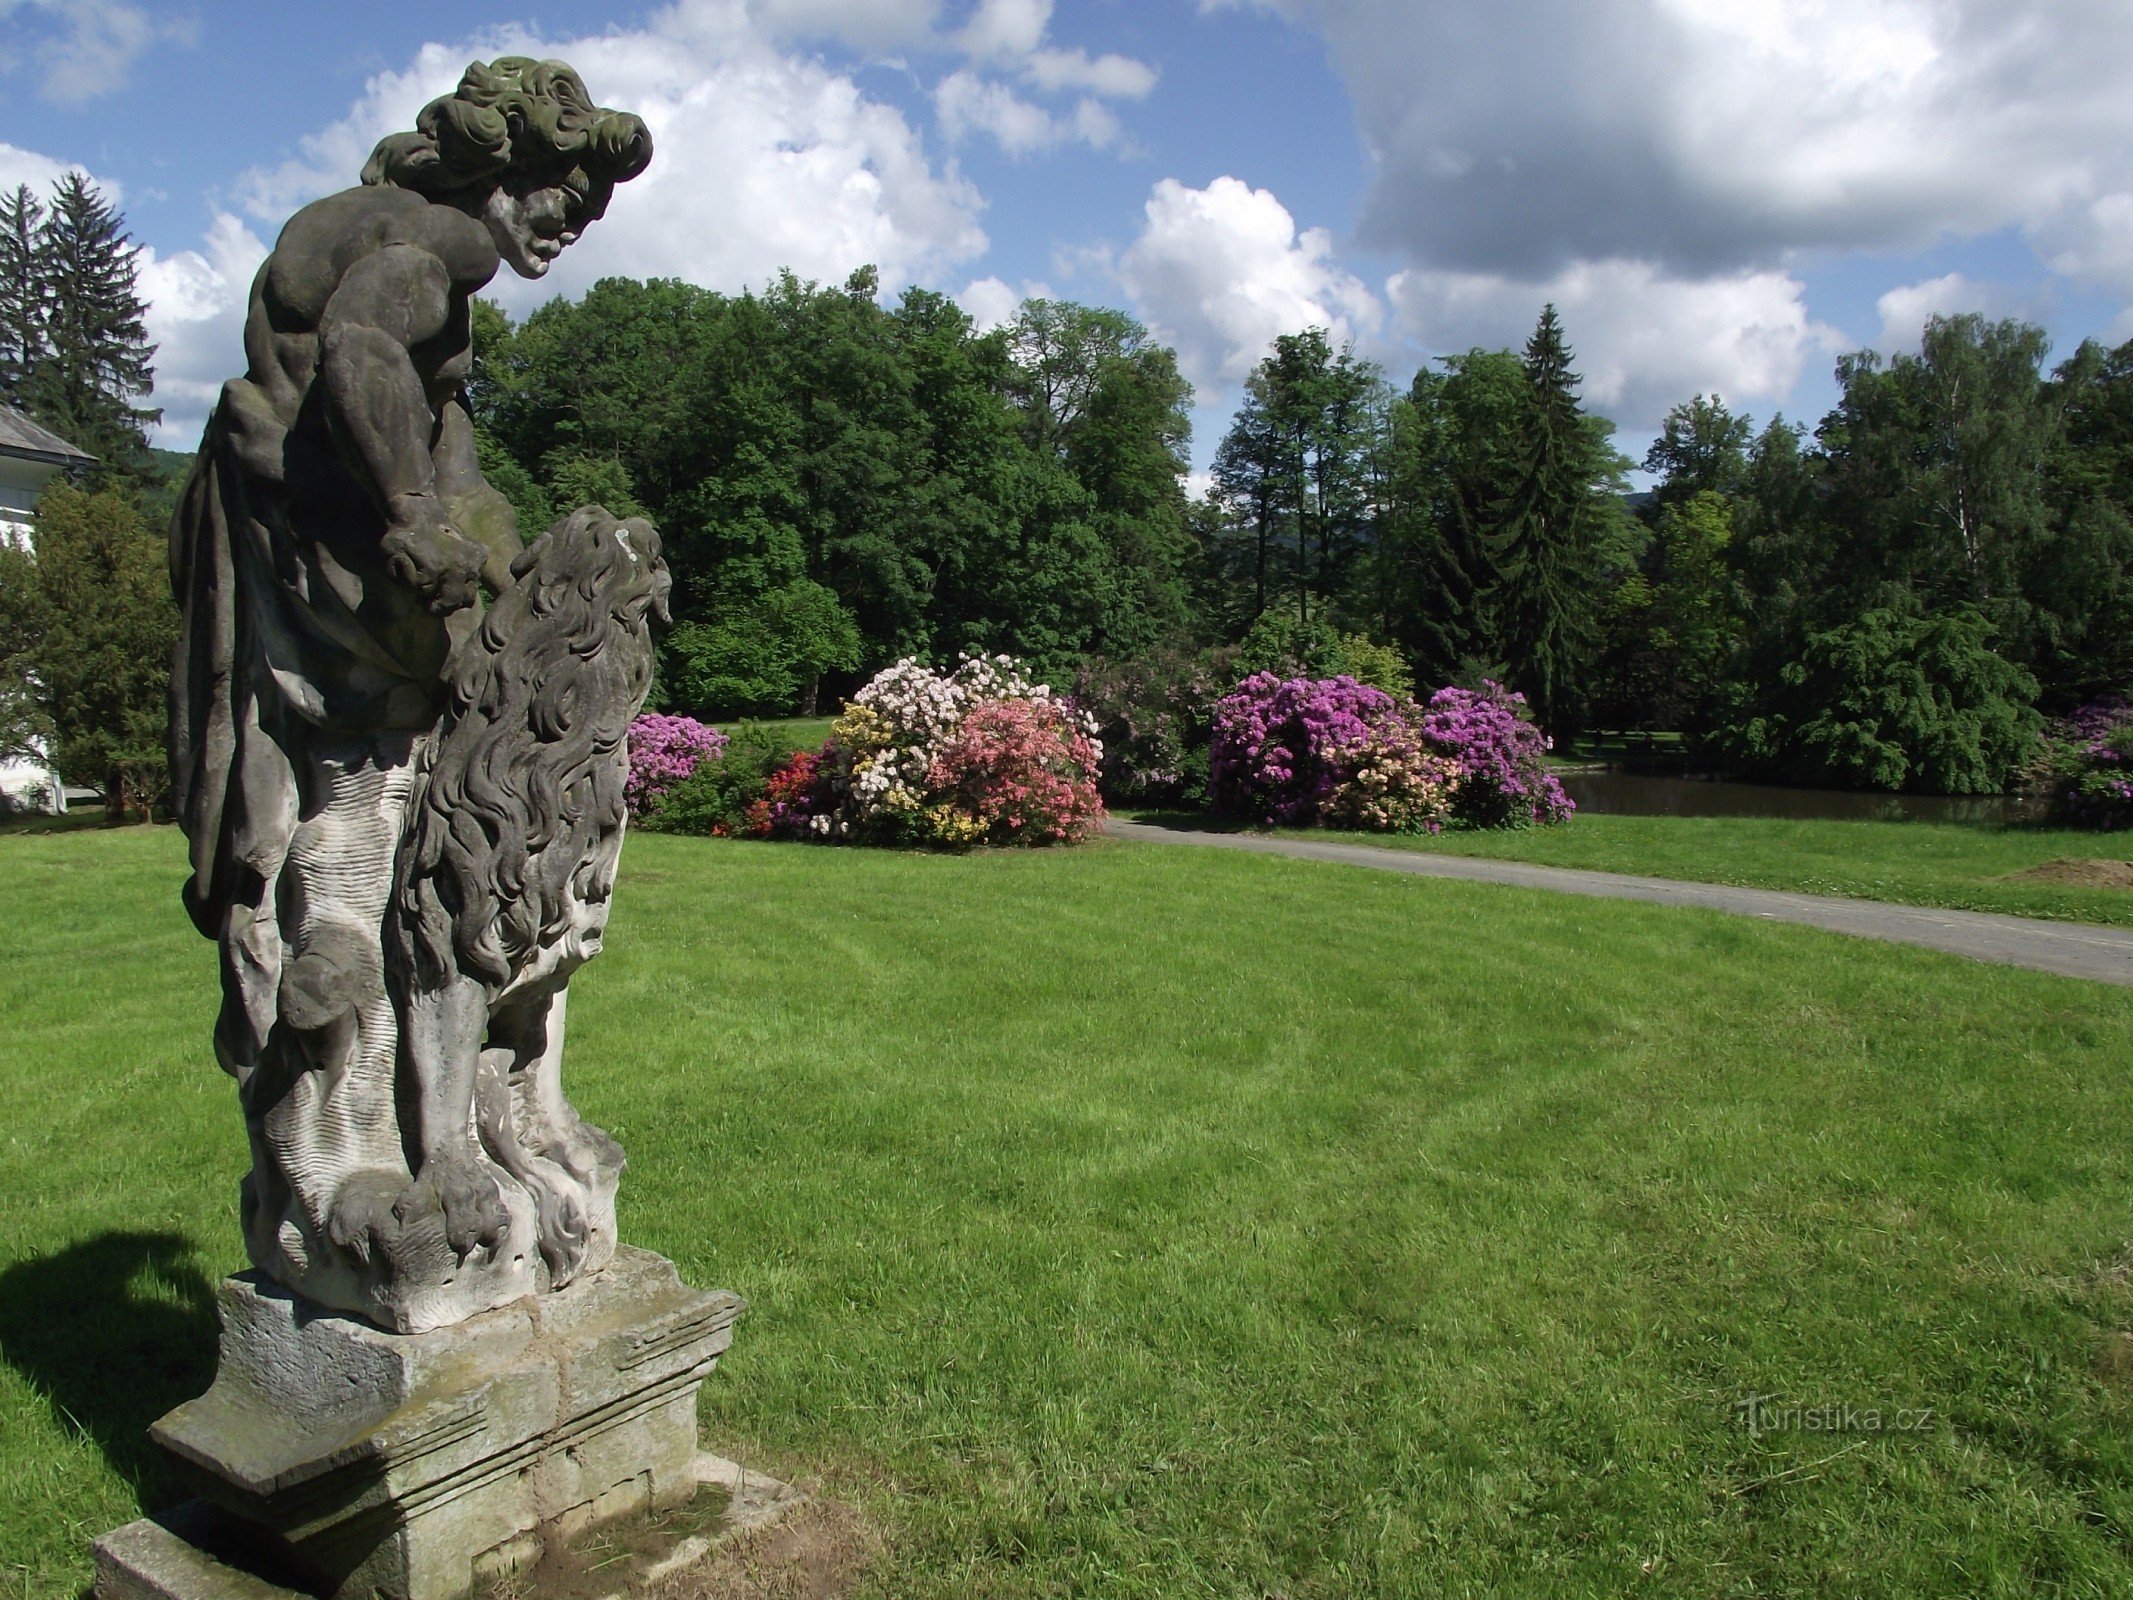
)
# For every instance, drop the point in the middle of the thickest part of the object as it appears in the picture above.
(1889, 601)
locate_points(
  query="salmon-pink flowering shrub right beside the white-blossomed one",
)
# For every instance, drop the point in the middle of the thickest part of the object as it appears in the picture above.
(1025, 771)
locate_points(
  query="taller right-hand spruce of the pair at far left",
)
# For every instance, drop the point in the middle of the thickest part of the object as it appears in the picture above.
(99, 357)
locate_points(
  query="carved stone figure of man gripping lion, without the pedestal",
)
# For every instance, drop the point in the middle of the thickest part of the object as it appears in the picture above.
(398, 735)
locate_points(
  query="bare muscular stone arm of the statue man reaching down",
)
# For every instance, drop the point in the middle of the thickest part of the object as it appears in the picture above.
(383, 417)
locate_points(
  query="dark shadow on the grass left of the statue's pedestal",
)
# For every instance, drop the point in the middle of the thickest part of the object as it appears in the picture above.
(114, 1332)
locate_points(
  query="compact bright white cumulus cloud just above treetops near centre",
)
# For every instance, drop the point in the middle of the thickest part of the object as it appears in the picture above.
(1221, 272)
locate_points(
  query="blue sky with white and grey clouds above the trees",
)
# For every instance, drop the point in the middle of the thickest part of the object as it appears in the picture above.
(1720, 195)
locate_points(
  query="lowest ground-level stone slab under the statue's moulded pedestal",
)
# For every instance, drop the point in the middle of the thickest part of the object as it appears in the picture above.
(202, 1554)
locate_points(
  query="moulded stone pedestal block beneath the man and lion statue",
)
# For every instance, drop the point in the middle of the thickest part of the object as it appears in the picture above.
(359, 1465)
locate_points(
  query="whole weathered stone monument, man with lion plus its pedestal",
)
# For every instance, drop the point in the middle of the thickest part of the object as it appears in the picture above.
(398, 746)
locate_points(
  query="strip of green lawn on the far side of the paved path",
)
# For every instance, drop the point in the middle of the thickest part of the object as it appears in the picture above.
(1914, 863)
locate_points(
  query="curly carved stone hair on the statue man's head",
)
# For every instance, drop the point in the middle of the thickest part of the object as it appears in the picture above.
(515, 112)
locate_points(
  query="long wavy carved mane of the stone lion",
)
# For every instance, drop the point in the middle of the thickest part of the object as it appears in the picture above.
(517, 812)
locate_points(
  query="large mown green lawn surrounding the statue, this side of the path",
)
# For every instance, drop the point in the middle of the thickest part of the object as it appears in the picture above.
(1170, 1223)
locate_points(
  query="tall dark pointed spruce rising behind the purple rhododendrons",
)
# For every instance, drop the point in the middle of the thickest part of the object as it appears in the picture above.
(1550, 534)
